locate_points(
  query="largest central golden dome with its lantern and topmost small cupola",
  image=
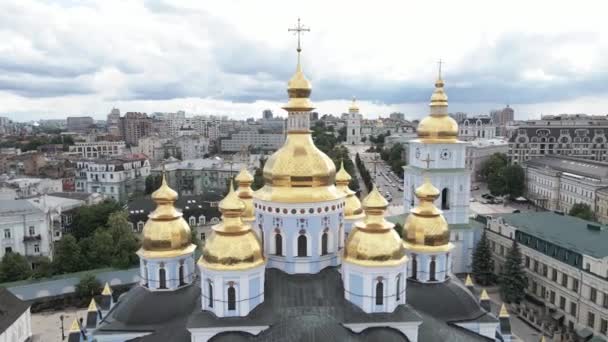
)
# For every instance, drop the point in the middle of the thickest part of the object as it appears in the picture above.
(299, 172)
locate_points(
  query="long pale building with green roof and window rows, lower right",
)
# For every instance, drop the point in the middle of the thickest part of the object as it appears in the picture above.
(566, 261)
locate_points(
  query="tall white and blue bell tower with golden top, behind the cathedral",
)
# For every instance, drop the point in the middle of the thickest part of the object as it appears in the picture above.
(438, 139)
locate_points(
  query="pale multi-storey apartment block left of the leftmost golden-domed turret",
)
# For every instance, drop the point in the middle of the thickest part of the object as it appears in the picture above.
(115, 178)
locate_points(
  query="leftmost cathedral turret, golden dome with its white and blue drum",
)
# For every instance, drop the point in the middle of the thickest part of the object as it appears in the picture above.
(167, 253)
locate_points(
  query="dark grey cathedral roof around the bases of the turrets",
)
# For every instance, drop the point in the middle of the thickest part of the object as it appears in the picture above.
(298, 308)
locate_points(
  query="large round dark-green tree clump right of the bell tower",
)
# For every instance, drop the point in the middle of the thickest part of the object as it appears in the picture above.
(503, 178)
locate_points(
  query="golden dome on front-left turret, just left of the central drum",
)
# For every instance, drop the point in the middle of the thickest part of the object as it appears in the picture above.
(232, 245)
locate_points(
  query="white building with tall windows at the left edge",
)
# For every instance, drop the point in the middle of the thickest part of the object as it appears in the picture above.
(25, 229)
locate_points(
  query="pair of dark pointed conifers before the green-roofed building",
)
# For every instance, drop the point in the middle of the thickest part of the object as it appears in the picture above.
(512, 280)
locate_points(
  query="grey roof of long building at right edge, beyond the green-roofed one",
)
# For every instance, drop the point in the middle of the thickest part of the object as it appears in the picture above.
(581, 167)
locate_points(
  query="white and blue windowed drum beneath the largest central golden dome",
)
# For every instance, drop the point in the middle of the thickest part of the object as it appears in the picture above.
(300, 238)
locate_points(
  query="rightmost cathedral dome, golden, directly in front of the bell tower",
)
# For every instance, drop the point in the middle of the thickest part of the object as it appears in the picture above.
(425, 227)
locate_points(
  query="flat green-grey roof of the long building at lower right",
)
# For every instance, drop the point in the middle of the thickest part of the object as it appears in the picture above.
(566, 231)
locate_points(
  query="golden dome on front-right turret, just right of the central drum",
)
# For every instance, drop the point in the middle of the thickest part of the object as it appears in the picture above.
(373, 241)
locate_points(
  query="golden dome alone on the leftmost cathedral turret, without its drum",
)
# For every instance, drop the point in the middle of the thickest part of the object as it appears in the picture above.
(166, 233)
